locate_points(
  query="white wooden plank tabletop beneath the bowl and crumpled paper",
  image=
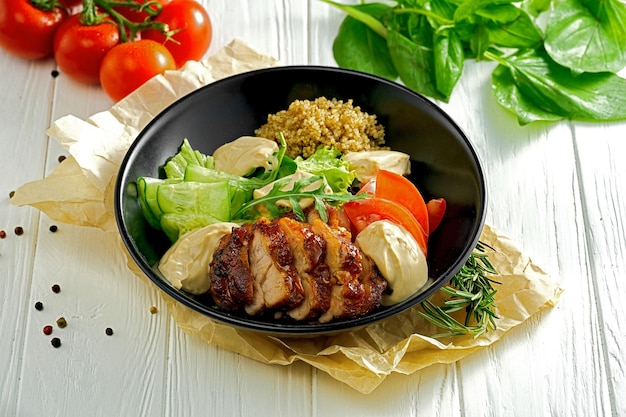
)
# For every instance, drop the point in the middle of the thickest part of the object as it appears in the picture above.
(558, 190)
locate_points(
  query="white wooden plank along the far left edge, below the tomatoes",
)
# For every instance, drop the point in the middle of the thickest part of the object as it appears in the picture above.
(24, 109)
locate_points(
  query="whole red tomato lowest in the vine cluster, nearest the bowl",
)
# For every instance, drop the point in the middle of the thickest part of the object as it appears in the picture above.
(129, 65)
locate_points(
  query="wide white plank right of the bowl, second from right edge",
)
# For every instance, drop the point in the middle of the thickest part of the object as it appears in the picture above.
(534, 198)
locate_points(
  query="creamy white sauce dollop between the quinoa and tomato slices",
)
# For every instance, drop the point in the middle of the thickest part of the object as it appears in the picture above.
(367, 163)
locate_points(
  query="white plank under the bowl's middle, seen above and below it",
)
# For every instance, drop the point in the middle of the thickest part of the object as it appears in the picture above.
(203, 379)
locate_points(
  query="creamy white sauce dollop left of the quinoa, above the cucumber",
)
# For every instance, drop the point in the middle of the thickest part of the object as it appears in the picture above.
(245, 154)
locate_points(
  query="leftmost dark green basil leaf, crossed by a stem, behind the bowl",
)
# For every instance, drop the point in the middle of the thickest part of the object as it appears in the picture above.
(358, 47)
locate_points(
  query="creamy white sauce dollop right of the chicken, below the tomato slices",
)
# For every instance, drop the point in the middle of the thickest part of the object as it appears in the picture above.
(398, 257)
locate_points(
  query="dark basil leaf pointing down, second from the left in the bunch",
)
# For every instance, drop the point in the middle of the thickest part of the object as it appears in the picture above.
(415, 64)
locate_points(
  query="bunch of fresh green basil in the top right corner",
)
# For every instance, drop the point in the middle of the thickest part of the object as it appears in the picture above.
(562, 67)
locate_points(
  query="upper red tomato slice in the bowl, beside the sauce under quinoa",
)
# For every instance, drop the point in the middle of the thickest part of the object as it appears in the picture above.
(395, 187)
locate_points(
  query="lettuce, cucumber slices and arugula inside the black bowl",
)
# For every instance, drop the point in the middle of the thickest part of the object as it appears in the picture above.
(194, 194)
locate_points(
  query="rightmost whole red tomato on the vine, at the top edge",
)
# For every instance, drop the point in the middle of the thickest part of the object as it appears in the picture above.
(196, 31)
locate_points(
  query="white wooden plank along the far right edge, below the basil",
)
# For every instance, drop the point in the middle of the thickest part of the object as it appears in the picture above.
(602, 173)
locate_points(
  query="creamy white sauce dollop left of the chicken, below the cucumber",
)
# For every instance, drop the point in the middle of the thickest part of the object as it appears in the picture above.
(186, 262)
